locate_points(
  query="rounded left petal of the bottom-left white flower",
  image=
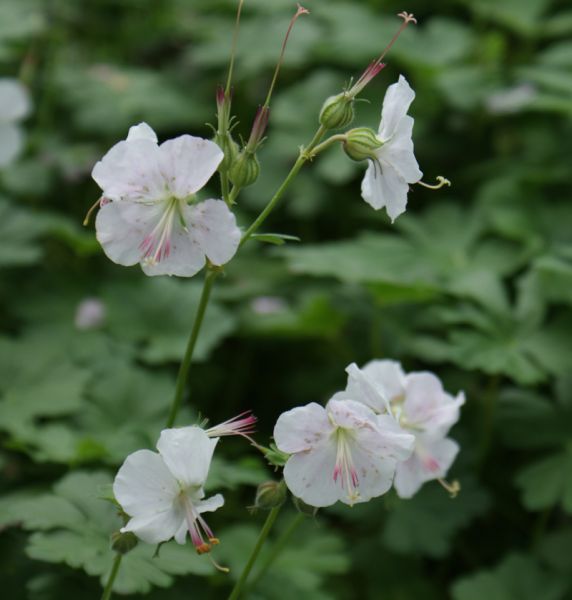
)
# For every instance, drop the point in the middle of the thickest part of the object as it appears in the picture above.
(144, 485)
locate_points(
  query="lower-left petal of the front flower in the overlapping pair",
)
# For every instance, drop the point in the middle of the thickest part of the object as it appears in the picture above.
(310, 475)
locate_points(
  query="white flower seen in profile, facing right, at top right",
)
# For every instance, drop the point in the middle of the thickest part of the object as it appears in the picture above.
(386, 181)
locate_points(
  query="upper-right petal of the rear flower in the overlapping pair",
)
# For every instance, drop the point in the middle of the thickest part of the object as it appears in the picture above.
(428, 406)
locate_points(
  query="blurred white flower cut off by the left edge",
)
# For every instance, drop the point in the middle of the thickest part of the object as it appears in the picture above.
(14, 106)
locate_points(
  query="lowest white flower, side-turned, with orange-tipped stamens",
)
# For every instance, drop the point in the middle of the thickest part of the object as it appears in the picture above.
(163, 492)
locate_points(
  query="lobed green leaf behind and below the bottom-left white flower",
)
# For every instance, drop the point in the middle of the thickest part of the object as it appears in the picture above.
(76, 528)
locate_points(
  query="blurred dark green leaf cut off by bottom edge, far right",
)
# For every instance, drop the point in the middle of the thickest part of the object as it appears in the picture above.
(518, 577)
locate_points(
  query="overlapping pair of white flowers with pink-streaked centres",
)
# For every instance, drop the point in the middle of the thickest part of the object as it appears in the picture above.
(386, 428)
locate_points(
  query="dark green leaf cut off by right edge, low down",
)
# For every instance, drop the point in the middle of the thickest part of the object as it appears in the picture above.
(547, 482)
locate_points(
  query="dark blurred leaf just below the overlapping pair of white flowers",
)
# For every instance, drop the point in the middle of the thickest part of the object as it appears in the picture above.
(427, 523)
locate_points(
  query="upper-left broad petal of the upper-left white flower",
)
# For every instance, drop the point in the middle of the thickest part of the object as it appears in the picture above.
(131, 171)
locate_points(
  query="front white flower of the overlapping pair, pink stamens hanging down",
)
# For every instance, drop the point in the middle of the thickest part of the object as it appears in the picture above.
(342, 452)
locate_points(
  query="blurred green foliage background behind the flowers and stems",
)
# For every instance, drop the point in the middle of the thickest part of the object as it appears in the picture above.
(473, 282)
